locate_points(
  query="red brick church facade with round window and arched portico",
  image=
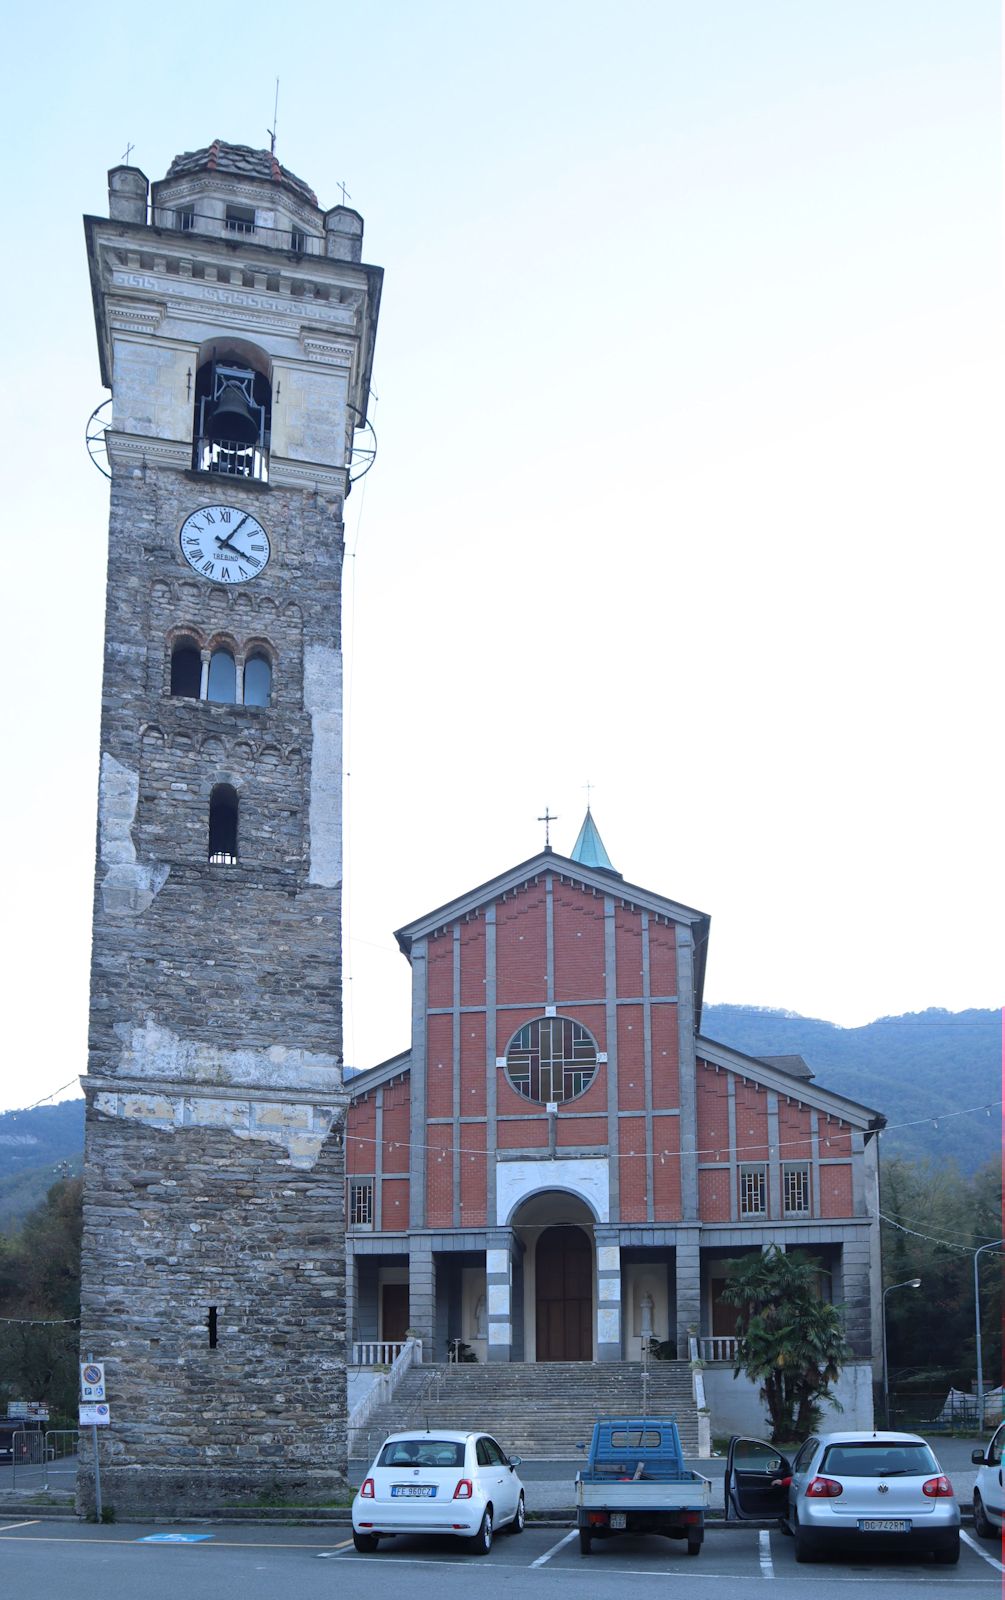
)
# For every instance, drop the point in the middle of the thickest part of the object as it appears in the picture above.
(563, 1164)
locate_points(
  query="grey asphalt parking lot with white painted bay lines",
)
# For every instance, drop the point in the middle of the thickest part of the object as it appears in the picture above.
(254, 1562)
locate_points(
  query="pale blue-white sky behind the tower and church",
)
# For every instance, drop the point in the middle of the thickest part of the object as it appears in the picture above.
(689, 486)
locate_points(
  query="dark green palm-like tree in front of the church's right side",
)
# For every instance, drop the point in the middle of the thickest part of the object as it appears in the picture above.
(791, 1342)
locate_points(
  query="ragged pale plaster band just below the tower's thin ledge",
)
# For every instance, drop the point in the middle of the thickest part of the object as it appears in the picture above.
(302, 1130)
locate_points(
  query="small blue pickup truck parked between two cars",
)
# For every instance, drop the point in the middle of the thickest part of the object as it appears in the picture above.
(636, 1482)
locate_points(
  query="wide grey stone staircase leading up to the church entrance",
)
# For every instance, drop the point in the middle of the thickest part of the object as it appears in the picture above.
(535, 1410)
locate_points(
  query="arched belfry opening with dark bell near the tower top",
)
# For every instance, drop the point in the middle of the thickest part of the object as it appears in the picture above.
(233, 412)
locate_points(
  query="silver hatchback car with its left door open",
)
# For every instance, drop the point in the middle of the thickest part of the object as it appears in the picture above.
(849, 1492)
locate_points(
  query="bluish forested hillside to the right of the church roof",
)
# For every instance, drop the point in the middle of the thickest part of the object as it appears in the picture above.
(915, 1070)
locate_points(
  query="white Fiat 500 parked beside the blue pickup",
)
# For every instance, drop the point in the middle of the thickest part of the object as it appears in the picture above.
(439, 1482)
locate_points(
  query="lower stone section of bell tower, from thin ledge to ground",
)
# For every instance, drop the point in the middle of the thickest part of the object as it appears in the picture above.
(215, 1297)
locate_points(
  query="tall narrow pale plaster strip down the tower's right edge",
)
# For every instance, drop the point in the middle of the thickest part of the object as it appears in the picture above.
(324, 703)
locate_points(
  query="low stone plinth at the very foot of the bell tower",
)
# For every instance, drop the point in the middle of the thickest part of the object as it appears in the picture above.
(140, 1494)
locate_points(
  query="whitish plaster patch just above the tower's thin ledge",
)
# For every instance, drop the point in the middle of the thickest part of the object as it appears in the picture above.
(156, 1054)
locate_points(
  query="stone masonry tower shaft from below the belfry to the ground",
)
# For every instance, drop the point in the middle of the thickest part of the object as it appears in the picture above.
(214, 1162)
